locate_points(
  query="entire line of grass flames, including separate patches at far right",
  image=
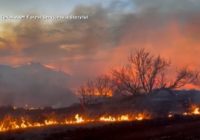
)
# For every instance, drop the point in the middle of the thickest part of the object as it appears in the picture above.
(9, 122)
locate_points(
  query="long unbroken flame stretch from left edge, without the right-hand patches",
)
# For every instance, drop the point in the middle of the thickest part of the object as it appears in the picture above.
(11, 123)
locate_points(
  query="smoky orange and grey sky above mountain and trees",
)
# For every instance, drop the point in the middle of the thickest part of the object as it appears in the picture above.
(86, 48)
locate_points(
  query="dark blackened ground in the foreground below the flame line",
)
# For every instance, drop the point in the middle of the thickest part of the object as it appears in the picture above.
(177, 128)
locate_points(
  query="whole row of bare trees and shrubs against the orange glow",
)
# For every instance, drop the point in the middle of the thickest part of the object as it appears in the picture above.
(143, 74)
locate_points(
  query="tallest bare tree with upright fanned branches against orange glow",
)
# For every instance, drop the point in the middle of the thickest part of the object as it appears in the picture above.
(148, 68)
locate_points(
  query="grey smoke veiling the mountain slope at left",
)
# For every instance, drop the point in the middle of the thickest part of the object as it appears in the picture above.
(34, 85)
